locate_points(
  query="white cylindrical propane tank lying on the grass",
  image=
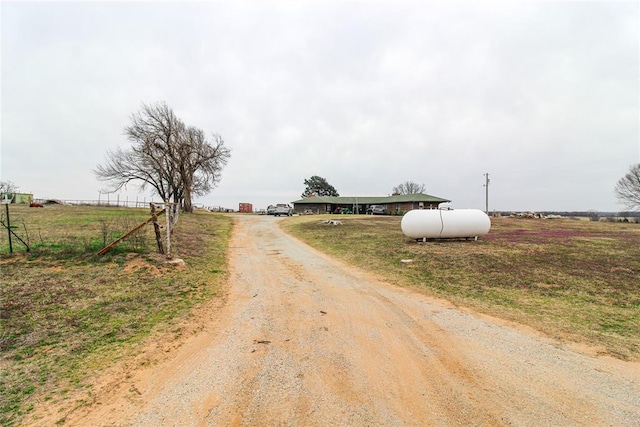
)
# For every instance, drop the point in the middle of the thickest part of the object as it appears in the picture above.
(445, 224)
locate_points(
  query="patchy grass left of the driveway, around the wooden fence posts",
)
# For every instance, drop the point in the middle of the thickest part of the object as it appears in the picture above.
(66, 313)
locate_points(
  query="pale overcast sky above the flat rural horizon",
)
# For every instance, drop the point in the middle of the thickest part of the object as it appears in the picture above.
(543, 96)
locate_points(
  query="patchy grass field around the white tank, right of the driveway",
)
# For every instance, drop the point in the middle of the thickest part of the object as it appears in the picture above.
(572, 280)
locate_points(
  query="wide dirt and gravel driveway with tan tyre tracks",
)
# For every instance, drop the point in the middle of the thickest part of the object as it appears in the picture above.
(306, 340)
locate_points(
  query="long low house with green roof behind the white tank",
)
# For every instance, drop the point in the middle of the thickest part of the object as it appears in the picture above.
(394, 205)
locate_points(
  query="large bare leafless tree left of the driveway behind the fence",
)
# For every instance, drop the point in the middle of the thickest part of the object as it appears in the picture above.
(176, 160)
